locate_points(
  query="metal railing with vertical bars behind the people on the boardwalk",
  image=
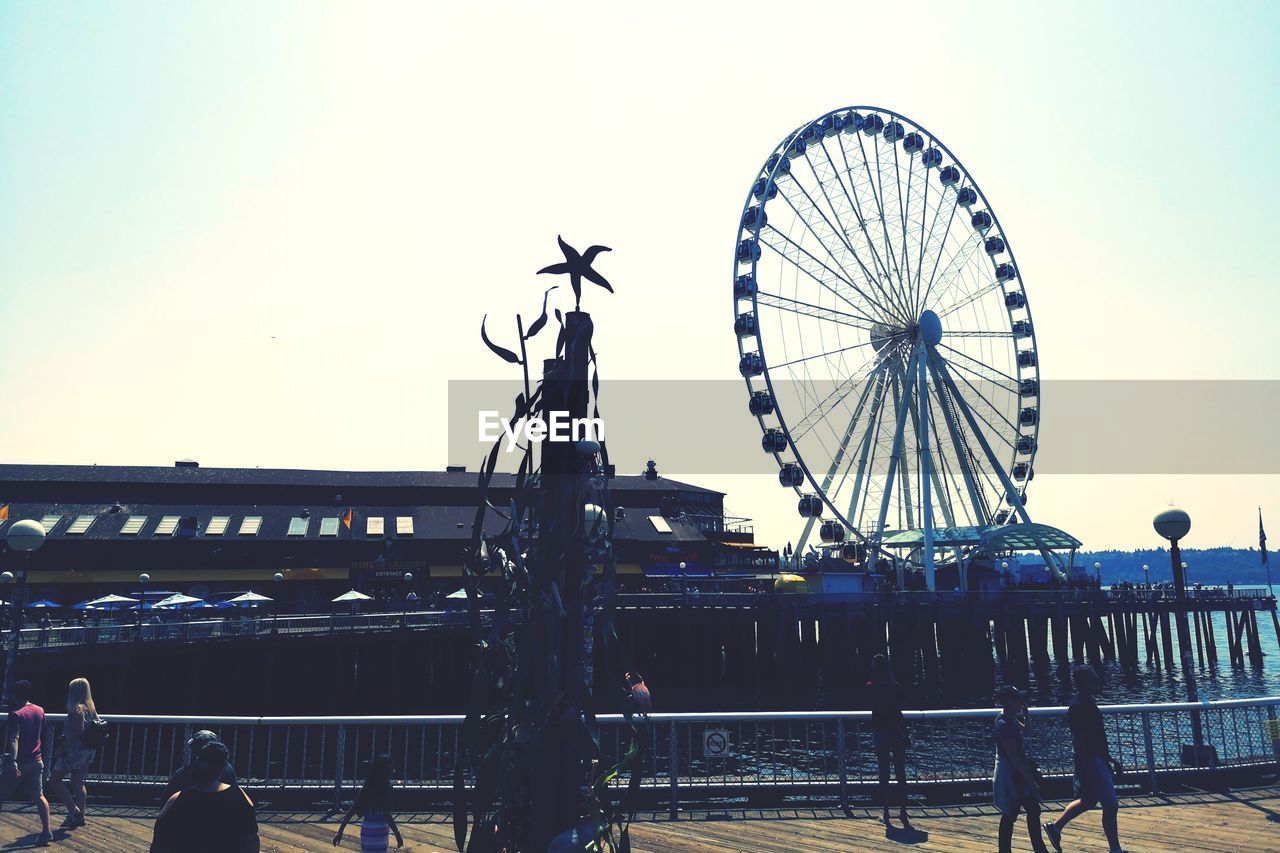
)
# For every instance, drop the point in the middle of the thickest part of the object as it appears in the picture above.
(698, 755)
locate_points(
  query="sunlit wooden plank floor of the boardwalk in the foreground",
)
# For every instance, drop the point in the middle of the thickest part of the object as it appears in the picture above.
(1242, 822)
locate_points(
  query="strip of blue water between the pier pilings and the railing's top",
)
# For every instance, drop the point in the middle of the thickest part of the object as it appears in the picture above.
(1149, 685)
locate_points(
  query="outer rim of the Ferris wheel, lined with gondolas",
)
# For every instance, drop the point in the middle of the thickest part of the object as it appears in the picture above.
(770, 172)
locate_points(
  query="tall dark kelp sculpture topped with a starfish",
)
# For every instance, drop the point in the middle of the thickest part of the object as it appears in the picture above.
(531, 747)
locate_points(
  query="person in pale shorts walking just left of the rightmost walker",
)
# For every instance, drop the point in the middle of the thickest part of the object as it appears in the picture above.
(1017, 788)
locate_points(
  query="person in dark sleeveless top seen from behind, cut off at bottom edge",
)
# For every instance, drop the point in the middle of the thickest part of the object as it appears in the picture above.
(209, 815)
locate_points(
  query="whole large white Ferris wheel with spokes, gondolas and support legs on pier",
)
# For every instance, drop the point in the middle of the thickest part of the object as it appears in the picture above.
(885, 335)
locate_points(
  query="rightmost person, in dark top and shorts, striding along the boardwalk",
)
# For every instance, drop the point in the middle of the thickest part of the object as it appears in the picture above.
(1095, 784)
